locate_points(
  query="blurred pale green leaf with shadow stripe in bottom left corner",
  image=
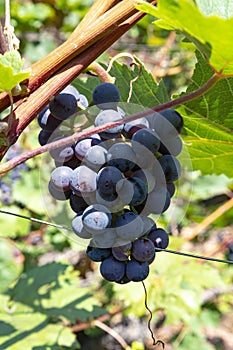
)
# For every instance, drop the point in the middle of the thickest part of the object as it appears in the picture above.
(32, 330)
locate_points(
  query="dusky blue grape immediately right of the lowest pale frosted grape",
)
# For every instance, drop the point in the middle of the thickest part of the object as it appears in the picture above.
(129, 226)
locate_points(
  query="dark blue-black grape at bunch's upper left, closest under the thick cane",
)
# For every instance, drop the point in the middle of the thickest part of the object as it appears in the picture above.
(63, 106)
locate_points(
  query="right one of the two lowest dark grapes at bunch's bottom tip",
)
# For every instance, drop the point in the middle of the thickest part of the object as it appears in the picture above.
(137, 271)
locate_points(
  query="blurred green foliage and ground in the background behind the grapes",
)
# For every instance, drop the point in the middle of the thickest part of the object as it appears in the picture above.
(50, 290)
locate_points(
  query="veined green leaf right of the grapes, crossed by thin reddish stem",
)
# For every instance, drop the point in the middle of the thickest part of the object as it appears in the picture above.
(209, 123)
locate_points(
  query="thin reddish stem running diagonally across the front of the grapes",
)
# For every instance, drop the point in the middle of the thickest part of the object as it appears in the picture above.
(77, 136)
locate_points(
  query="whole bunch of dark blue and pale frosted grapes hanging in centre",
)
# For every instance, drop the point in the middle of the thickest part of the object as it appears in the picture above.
(115, 179)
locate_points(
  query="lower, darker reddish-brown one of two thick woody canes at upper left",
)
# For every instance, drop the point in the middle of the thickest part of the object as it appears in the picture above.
(26, 111)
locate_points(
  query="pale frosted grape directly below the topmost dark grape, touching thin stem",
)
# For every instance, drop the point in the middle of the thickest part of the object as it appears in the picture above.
(107, 116)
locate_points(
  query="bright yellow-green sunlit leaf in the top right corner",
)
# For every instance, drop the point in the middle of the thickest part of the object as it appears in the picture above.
(211, 32)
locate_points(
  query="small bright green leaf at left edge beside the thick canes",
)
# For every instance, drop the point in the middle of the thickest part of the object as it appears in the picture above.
(11, 72)
